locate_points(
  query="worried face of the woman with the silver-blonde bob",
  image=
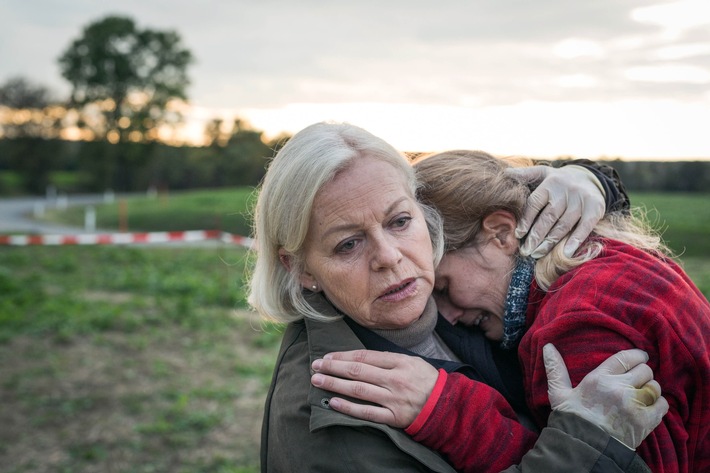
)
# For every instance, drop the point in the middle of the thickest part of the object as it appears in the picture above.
(368, 247)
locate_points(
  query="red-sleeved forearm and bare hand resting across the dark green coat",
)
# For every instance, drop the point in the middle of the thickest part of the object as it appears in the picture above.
(404, 383)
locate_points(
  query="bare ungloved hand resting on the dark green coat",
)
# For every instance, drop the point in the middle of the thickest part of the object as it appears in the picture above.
(399, 384)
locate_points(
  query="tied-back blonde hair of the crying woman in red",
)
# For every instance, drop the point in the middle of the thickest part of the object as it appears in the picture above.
(466, 186)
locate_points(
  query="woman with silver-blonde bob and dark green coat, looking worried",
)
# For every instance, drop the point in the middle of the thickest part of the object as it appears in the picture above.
(345, 256)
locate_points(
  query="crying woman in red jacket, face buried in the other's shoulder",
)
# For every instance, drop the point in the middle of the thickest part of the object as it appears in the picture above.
(620, 290)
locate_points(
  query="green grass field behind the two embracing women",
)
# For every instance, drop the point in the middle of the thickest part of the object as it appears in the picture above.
(144, 359)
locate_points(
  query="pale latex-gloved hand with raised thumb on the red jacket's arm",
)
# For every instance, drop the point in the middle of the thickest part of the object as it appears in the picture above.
(620, 395)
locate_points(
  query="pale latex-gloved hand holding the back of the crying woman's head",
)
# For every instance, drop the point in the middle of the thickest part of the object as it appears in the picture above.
(568, 199)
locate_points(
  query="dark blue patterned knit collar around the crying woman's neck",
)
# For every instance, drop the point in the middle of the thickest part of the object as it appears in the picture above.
(516, 302)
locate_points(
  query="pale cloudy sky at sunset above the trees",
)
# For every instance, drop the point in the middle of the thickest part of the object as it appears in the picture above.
(602, 78)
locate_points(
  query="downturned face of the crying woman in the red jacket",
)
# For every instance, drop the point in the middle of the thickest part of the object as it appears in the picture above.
(471, 287)
